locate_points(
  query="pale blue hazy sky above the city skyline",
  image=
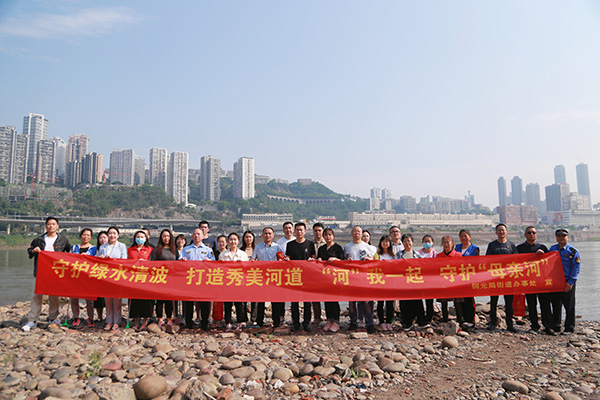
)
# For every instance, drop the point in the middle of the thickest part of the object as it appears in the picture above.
(423, 98)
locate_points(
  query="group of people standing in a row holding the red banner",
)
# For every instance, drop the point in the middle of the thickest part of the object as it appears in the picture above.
(294, 245)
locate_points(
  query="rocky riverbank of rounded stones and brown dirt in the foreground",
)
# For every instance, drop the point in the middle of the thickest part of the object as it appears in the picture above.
(440, 362)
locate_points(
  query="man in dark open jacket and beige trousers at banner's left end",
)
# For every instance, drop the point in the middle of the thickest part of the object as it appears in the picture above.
(51, 240)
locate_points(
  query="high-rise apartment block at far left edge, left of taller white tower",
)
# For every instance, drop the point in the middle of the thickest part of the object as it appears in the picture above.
(13, 155)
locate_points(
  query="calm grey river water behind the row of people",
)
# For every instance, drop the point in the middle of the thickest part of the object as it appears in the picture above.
(16, 283)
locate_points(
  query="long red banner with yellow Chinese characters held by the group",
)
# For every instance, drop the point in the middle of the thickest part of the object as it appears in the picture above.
(80, 276)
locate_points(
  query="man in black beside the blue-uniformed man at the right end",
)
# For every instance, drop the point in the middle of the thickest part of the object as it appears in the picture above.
(531, 245)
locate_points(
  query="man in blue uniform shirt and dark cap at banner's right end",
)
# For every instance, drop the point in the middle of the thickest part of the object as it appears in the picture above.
(571, 261)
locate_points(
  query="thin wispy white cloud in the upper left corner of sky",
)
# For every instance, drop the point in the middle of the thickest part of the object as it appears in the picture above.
(90, 22)
